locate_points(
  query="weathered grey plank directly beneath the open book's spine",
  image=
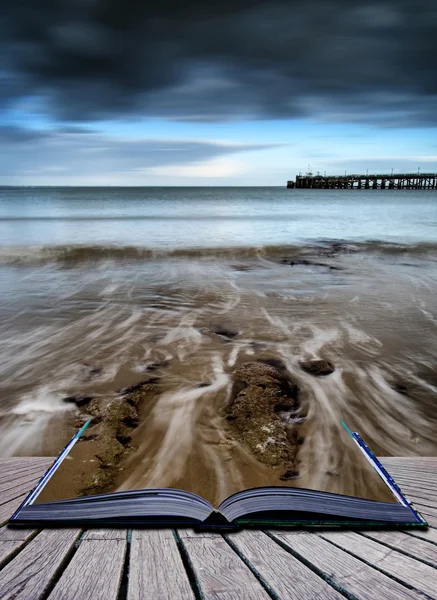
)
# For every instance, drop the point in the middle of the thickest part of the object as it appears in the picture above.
(220, 572)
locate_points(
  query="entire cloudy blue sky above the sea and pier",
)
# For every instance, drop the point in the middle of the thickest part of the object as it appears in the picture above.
(126, 92)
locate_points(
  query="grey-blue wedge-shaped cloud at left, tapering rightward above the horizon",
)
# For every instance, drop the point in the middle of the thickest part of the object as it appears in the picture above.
(76, 153)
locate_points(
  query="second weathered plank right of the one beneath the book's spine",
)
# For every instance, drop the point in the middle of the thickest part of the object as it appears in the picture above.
(342, 569)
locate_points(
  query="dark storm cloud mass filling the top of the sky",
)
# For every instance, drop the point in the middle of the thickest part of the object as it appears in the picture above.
(338, 60)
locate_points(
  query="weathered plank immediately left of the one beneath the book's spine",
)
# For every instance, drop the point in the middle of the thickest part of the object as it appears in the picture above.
(156, 569)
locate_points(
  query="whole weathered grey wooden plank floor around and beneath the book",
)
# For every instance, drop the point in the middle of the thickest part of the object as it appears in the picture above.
(67, 564)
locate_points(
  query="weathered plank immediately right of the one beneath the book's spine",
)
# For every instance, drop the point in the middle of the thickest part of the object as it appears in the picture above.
(281, 571)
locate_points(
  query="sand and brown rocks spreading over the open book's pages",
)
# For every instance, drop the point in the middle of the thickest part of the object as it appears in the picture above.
(257, 438)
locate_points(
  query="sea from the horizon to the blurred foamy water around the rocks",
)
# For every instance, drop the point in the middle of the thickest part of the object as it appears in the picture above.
(99, 285)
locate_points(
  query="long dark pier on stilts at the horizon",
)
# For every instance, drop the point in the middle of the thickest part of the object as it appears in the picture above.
(403, 181)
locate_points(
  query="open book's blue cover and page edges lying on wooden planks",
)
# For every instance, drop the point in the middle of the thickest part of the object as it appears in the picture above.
(270, 506)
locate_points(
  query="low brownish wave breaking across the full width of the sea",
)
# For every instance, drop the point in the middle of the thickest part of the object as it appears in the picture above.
(71, 254)
